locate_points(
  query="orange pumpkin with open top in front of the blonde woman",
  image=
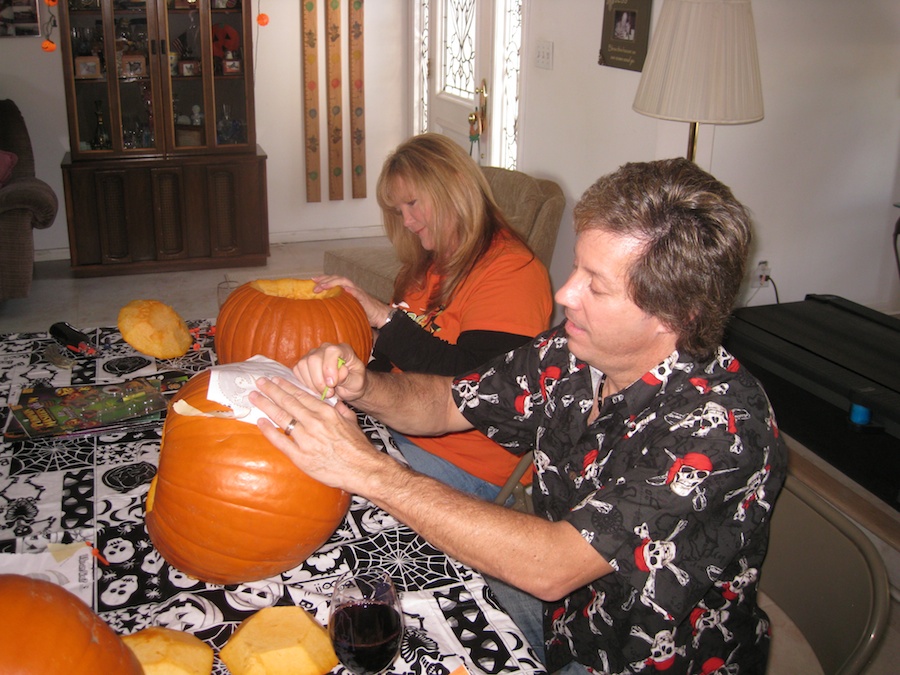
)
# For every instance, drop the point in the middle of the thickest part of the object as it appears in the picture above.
(283, 319)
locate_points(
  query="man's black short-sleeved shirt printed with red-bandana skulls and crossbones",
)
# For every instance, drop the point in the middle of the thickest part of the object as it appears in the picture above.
(673, 484)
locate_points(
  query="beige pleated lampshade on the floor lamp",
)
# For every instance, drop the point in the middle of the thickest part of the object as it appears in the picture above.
(702, 64)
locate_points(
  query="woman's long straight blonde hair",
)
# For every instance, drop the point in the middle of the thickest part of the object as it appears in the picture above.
(465, 216)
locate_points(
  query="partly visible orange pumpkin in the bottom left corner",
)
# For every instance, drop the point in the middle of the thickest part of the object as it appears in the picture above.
(45, 629)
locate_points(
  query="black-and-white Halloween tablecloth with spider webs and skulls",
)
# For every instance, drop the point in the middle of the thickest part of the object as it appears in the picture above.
(64, 493)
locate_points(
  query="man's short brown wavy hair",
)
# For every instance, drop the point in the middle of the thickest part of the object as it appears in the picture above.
(696, 239)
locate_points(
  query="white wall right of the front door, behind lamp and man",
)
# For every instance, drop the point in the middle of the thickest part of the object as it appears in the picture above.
(821, 172)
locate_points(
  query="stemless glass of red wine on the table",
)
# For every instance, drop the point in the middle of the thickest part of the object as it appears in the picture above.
(366, 623)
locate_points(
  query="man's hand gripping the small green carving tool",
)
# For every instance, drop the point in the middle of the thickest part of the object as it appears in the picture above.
(333, 369)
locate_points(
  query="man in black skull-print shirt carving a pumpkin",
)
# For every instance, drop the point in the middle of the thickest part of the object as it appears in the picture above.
(657, 455)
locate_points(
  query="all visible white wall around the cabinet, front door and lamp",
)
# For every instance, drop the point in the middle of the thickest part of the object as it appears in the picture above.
(821, 172)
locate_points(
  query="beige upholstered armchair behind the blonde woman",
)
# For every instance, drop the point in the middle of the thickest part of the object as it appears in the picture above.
(533, 206)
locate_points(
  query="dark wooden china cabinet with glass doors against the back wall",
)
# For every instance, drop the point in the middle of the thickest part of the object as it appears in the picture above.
(164, 172)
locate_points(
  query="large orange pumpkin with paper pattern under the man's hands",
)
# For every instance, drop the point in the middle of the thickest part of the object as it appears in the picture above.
(228, 507)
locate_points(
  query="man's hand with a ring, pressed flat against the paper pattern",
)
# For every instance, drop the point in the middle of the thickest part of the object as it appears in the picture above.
(325, 442)
